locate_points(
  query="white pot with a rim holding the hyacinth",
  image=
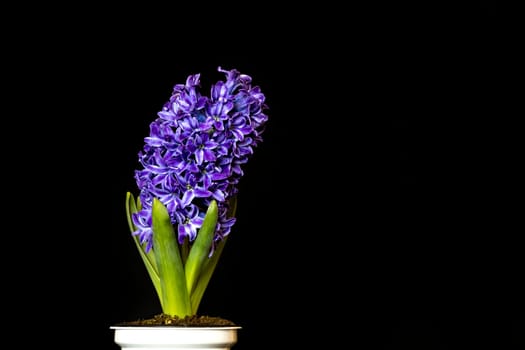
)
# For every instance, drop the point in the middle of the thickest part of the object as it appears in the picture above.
(180, 338)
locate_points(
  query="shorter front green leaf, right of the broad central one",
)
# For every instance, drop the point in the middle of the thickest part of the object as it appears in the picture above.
(200, 248)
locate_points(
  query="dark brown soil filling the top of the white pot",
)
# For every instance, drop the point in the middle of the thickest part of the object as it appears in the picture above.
(174, 321)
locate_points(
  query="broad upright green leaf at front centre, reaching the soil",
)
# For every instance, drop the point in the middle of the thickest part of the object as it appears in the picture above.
(175, 298)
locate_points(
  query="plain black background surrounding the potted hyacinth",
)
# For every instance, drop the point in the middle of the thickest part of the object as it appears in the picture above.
(380, 209)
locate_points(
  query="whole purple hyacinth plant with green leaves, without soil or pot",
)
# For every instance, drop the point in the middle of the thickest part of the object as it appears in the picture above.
(191, 164)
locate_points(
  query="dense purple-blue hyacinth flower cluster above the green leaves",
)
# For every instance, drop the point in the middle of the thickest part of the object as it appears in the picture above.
(195, 152)
